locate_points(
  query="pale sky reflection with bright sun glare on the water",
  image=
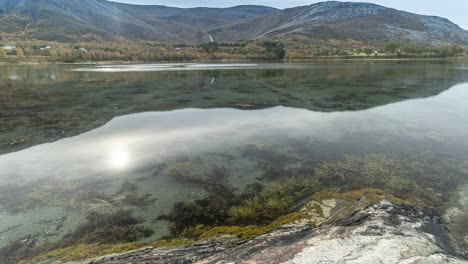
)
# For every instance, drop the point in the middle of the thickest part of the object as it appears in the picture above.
(131, 142)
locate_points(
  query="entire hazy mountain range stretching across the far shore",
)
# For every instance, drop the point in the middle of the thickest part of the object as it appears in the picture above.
(368, 23)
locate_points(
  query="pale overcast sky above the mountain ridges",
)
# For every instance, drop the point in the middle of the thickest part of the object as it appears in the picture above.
(455, 10)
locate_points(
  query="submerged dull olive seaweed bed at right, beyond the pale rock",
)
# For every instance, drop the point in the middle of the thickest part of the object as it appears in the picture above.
(420, 179)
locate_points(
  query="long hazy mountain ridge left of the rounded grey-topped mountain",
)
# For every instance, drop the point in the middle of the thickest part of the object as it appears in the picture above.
(62, 19)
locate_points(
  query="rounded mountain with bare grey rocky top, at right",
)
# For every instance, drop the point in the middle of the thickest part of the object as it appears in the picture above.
(365, 22)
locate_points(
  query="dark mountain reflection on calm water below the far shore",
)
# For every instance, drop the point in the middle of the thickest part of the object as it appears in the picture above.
(59, 103)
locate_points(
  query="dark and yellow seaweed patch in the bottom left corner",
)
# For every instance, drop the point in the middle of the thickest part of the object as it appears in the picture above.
(101, 234)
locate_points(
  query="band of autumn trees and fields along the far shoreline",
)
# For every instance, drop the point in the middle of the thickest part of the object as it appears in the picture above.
(260, 50)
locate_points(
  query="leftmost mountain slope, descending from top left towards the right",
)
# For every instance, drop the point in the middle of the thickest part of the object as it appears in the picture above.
(58, 19)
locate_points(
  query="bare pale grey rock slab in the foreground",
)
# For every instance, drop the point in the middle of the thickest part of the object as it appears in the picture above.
(348, 232)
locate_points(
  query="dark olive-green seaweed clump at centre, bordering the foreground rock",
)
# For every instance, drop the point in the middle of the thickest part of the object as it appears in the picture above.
(226, 208)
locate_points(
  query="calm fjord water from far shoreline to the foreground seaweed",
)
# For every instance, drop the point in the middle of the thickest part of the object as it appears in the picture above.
(81, 138)
